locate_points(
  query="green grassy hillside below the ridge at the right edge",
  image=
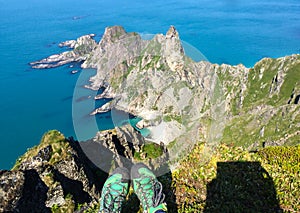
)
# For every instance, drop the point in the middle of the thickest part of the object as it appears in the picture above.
(261, 109)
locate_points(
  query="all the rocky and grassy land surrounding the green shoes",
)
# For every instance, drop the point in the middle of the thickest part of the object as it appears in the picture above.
(203, 117)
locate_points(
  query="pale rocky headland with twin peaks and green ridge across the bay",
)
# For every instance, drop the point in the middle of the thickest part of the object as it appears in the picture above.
(176, 96)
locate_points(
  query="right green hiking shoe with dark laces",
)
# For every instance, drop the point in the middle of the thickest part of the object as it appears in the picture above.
(148, 189)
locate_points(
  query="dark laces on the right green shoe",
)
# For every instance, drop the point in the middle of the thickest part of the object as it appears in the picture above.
(158, 196)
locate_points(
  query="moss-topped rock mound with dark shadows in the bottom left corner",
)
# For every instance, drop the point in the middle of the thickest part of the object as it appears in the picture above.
(56, 173)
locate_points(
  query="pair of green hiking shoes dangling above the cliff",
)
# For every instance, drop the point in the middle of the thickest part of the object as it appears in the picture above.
(145, 185)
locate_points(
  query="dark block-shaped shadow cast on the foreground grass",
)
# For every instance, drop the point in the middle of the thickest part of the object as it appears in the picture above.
(241, 187)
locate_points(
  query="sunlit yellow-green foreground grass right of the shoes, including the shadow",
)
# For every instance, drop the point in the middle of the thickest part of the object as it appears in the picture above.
(273, 173)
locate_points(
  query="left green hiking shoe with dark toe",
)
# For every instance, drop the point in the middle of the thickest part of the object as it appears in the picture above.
(114, 191)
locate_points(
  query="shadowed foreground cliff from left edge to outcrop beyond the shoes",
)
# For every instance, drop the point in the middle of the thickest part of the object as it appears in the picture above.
(62, 175)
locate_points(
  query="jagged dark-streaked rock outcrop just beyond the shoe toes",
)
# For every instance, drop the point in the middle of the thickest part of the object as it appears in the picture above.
(121, 144)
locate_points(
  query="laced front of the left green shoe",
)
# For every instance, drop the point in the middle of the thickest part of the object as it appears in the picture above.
(111, 201)
